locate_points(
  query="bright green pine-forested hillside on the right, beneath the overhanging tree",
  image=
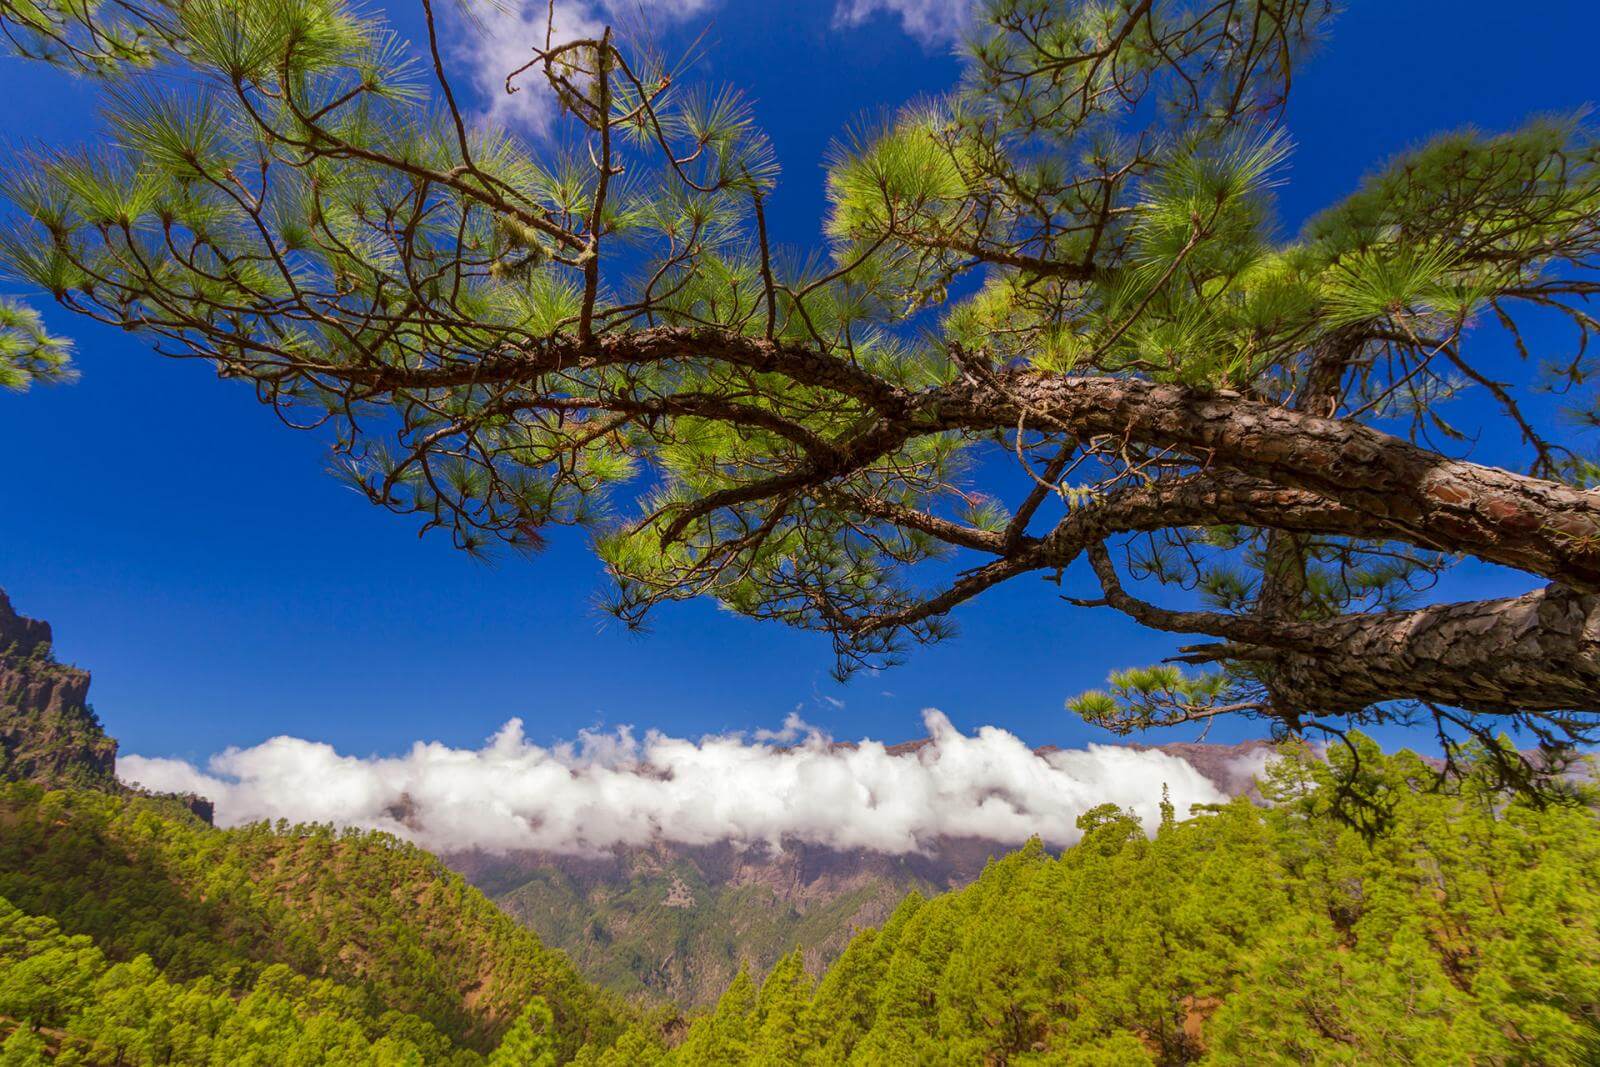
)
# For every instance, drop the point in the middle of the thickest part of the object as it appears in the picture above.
(1465, 930)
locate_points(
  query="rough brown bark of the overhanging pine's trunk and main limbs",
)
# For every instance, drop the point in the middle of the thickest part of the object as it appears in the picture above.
(1244, 462)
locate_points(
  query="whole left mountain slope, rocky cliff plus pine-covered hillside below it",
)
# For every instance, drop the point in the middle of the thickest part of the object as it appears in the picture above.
(321, 930)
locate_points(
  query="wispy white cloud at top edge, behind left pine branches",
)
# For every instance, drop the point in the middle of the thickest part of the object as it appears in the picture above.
(503, 34)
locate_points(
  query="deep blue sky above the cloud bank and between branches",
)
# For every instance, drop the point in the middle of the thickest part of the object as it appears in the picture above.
(196, 556)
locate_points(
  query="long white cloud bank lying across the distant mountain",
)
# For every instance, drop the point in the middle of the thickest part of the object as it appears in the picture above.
(615, 789)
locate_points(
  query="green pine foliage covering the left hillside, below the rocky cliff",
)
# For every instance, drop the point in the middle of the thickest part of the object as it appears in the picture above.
(236, 916)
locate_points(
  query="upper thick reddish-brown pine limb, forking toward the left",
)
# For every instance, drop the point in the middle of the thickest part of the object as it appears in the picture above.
(1402, 492)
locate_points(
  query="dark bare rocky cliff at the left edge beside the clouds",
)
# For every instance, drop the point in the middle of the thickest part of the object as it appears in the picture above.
(49, 733)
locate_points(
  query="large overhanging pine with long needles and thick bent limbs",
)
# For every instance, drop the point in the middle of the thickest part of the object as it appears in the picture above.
(1066, 263)
